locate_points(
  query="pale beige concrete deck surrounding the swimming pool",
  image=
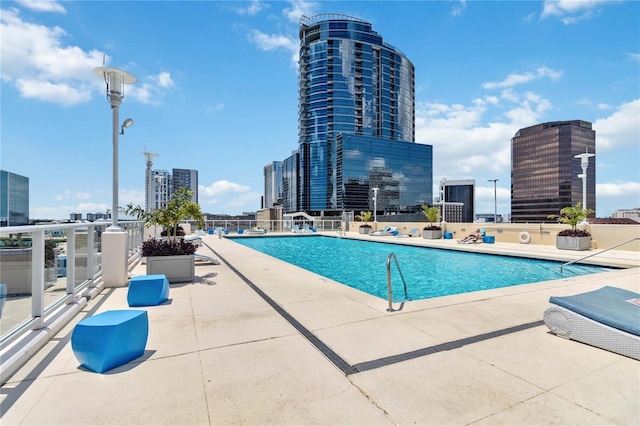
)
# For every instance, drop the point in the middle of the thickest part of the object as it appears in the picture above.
(258, 341)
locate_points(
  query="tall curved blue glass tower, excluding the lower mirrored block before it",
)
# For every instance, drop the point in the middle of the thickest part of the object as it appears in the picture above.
(350, 82)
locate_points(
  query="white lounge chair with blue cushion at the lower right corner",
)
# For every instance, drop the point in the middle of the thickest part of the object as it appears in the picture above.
(608, 318)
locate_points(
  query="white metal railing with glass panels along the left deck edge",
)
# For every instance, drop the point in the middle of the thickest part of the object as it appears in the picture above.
(47, 267)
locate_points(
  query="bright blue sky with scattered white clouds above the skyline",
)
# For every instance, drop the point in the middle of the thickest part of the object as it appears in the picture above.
(217, 91)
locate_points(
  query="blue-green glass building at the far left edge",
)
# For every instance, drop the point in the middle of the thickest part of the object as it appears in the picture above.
(14, 199)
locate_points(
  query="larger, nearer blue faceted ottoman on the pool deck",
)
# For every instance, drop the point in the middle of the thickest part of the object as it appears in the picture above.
(110, 339)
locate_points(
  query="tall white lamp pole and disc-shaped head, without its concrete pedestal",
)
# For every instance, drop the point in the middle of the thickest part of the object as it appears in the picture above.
(115, 80)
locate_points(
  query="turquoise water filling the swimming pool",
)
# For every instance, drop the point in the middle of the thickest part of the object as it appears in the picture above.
(428, 272)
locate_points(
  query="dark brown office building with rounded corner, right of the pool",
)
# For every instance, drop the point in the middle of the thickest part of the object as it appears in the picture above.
(544, 169)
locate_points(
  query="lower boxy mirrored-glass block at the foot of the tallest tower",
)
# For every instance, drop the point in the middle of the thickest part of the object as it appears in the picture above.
(401, 171)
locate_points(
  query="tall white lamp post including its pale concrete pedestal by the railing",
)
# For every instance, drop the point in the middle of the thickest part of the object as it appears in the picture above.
(115, 250)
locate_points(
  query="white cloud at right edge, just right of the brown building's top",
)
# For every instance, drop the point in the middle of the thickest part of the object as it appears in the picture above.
(620, 129)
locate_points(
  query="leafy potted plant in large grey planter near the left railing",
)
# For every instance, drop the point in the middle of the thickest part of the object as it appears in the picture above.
(171, 255)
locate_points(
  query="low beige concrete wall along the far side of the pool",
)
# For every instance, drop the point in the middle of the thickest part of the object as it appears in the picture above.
(602, 236)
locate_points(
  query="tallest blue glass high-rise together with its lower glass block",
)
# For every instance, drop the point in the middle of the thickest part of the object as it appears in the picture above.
(357, 121)
